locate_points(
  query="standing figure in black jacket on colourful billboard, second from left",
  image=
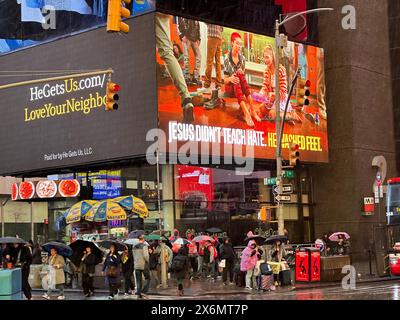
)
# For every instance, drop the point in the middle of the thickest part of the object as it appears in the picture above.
(189, 33)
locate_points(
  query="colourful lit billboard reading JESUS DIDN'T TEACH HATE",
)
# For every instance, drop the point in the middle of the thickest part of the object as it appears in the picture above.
(240, 65)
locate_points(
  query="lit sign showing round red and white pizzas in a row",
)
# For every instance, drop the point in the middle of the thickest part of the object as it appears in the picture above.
(45, 189)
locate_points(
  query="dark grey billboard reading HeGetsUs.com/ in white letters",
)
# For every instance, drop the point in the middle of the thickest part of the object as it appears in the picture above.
(63, 123)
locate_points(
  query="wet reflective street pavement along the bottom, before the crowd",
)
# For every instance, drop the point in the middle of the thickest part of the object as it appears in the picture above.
(208, 290)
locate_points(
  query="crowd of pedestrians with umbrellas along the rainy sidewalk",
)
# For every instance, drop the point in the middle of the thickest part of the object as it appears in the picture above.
(144, 265)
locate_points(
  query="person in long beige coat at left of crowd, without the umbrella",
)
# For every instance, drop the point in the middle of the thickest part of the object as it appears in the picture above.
(56, 274)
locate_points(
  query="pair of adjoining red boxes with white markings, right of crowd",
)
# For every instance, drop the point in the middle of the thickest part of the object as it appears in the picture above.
(308, 263)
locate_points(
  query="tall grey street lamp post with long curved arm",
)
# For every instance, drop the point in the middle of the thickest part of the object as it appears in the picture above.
(279, 172)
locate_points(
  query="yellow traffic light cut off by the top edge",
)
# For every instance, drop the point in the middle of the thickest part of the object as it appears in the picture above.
(116, 11)
